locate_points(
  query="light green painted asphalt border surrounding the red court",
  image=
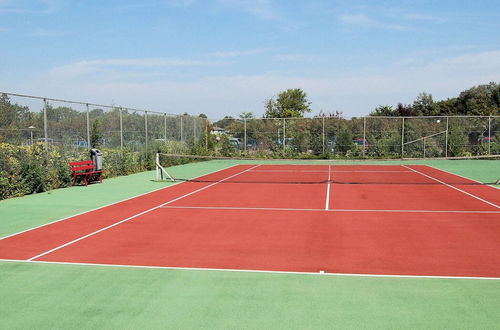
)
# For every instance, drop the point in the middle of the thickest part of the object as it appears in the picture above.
(44, 296)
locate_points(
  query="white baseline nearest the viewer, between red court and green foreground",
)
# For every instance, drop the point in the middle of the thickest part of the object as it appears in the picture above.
(278, 272)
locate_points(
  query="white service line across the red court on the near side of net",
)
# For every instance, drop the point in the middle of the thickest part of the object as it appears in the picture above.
(324, 210)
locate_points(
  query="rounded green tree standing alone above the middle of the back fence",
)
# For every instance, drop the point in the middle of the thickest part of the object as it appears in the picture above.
(289, 103)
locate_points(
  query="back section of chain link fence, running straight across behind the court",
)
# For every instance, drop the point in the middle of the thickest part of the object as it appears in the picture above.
(364, 137)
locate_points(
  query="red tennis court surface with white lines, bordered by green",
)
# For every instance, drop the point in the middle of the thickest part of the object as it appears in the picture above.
(353, 219)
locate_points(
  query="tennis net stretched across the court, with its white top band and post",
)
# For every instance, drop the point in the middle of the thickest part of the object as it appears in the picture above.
(482, 170)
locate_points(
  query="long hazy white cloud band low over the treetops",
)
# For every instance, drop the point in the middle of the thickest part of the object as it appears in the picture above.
(355, 93)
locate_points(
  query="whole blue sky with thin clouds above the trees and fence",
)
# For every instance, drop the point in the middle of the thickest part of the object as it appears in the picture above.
(222, 57)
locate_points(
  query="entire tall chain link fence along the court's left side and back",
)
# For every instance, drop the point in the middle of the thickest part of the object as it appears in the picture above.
(78, 126)
